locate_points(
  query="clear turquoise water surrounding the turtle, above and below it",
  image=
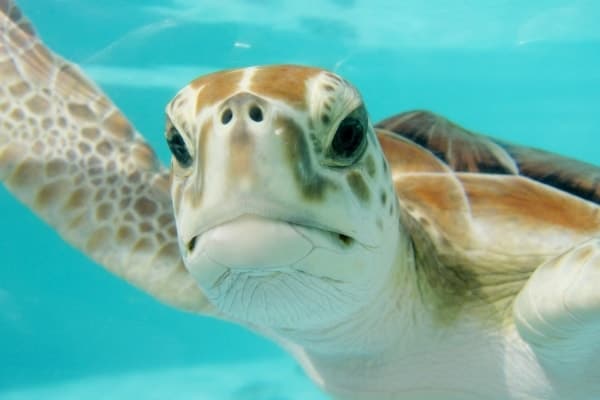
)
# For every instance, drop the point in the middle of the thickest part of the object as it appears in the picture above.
(526, 73)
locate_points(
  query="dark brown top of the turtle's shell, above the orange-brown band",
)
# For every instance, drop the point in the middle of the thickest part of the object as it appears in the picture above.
(465, 151)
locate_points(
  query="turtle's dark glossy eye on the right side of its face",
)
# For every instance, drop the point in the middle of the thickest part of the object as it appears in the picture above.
(350, 138)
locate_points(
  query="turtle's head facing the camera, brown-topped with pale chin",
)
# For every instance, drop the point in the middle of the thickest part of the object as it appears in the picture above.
(282, 196)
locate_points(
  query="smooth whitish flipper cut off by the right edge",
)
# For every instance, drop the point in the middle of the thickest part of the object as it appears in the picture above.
(558, 310)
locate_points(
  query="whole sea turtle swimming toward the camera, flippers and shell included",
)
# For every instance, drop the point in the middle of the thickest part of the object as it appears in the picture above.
(412, 259)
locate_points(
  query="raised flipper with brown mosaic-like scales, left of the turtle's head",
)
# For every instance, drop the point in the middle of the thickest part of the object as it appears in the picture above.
(69, 154)
